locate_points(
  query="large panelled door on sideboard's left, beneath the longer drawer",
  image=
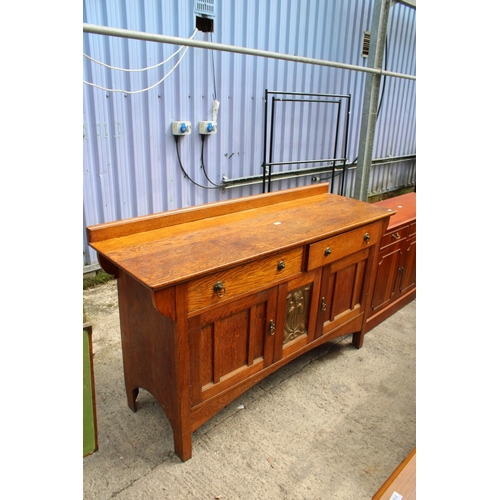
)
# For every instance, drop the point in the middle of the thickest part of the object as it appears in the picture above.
(230, 342)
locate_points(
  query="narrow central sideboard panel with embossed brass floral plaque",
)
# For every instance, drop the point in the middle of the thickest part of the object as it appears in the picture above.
(296, 314)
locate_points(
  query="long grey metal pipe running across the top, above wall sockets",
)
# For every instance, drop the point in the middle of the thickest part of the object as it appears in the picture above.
(152, 37)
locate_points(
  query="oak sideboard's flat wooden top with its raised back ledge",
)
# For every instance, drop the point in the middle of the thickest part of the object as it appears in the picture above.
(175, 246)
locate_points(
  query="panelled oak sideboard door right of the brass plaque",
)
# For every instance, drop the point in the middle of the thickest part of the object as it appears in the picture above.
(342, 291)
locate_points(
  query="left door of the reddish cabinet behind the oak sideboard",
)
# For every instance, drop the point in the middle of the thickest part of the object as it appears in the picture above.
(388, 271)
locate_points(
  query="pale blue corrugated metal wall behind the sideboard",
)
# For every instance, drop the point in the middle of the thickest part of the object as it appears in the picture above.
(129, 155)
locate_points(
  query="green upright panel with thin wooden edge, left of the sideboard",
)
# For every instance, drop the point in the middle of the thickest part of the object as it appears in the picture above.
(89, 417)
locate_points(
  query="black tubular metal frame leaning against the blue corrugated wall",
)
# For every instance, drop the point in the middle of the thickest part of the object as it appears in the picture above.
(335, 161)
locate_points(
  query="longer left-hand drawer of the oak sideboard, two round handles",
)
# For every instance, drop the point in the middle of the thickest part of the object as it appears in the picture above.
(220, 286)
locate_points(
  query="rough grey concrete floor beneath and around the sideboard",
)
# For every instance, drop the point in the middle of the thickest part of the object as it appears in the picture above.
(332, 424)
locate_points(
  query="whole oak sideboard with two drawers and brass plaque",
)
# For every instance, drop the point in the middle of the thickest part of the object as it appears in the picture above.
(214, 298)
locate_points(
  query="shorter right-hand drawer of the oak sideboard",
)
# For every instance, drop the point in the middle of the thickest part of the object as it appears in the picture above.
(329, 250)
